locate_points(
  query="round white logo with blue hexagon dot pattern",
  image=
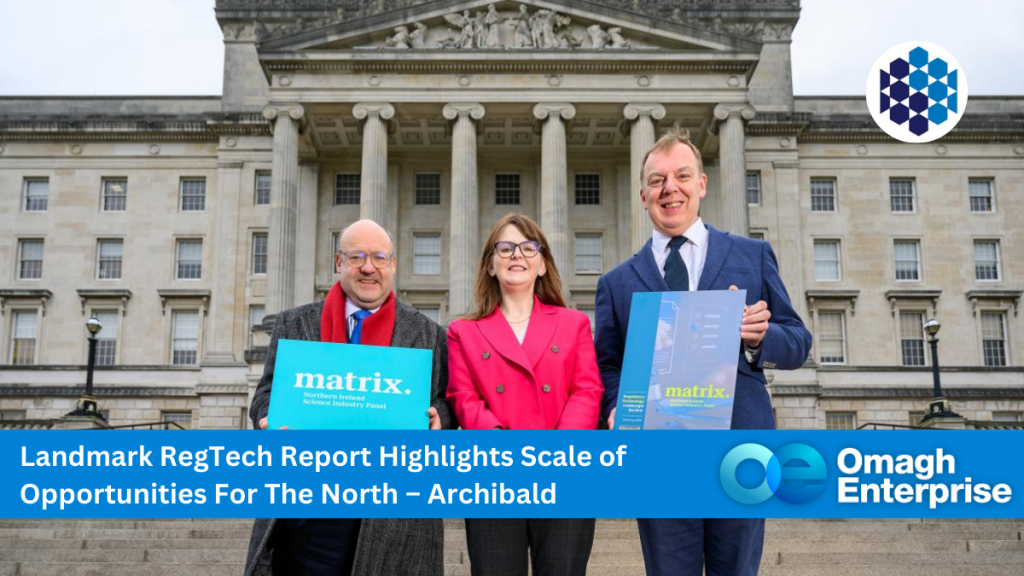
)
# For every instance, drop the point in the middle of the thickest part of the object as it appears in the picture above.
(917, 93)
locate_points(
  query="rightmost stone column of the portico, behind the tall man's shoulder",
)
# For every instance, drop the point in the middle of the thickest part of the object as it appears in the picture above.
(734, 216)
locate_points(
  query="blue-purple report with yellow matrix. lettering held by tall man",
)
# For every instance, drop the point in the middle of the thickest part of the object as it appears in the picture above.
(679, 371)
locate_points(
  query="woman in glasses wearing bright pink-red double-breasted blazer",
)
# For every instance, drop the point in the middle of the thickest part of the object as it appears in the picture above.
(523, 361)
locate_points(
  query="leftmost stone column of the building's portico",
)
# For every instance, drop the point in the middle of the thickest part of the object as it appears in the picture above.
(284, 209)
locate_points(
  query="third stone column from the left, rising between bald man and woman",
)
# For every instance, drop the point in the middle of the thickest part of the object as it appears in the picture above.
(465, 230)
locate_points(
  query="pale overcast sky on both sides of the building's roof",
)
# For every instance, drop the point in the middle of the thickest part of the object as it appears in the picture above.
(100, 48)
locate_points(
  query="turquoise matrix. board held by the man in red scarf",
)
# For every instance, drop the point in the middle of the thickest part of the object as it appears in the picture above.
(322, 386)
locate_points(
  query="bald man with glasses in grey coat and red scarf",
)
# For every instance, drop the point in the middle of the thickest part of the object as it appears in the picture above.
(360, 309)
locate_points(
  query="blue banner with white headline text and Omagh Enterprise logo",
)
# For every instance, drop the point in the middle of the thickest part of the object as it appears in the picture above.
(545, 474)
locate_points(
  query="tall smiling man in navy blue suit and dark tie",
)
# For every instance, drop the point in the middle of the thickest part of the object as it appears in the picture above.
(687, 255)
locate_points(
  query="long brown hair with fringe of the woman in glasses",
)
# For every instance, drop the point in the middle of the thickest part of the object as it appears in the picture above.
(489, 294)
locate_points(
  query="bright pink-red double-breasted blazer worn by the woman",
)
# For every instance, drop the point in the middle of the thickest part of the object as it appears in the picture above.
(549, 382)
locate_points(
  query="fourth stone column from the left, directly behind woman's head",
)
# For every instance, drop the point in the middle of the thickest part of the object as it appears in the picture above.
(554, 183)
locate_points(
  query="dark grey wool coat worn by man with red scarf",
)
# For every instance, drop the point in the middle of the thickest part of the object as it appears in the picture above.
(386, 548)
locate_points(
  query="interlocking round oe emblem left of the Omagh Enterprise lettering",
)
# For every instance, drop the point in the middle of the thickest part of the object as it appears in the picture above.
(792, 484)
